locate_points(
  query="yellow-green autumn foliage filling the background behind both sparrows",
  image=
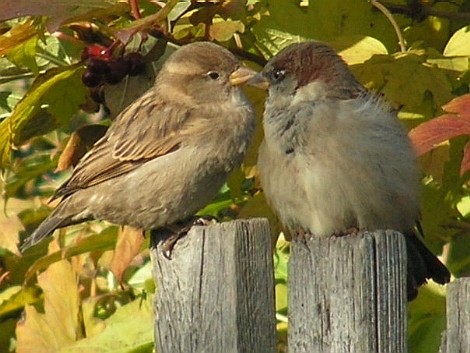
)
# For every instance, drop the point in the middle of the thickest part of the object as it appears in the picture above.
(90, 288)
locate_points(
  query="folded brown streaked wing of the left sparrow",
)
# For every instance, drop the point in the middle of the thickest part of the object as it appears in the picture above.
(144, 131)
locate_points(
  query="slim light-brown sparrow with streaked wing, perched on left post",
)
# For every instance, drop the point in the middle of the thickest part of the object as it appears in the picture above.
(168, 153)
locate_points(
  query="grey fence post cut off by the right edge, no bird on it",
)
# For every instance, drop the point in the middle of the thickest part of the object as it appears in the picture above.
(457, 335)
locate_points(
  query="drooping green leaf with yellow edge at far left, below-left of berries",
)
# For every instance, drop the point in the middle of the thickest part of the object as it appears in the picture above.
(59, 91)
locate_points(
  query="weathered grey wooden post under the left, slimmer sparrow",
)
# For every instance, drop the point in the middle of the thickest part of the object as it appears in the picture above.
(216, 294)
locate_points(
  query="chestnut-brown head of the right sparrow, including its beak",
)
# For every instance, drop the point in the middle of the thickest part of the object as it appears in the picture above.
(308, 71)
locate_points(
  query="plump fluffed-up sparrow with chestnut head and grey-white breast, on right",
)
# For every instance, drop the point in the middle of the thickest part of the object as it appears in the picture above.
(335, 156)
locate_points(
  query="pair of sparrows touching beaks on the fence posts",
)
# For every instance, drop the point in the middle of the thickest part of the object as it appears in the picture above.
(334, 156)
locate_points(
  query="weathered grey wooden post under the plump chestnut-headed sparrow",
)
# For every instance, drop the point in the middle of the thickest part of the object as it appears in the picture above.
(348, 294)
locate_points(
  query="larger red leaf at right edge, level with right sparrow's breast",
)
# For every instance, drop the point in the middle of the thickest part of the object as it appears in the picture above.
(426, 136)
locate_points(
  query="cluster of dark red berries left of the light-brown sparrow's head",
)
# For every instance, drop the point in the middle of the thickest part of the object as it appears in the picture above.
(103, 66)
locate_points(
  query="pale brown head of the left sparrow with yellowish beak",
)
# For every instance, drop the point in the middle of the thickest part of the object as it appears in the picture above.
(204, 71)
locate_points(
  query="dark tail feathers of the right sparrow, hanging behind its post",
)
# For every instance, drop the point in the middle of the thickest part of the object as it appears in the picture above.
(422, 265)
